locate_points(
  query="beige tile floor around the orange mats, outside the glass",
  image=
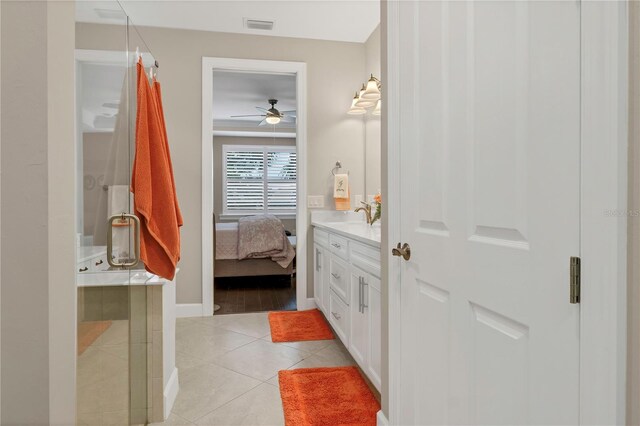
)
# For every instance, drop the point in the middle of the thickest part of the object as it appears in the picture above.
(228, 369)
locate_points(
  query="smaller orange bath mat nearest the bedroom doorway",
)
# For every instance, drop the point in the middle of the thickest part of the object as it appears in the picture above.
(296, 326)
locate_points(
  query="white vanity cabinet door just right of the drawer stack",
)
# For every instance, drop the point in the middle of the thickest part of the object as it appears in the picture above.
(359, 334)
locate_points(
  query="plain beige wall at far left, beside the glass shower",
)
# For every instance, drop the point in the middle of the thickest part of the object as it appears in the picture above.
(37, 207)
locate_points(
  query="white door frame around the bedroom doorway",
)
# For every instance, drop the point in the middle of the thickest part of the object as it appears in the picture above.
(300, 70)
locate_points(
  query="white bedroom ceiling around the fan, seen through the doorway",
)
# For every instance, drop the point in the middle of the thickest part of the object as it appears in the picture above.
(239, 93)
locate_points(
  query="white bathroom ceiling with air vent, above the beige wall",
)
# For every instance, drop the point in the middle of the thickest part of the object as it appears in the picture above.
(346, 20)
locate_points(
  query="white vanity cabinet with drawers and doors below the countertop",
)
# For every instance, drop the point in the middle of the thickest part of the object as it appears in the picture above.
(347, 290)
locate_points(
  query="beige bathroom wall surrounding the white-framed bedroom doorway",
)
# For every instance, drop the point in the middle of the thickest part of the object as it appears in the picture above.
(334, 70)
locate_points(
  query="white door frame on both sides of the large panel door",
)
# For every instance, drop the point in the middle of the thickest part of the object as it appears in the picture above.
(603, 313)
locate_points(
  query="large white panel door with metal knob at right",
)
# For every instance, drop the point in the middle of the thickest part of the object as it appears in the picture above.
(489, 136)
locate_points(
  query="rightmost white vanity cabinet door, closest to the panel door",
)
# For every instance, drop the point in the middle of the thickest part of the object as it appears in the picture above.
(373, 309)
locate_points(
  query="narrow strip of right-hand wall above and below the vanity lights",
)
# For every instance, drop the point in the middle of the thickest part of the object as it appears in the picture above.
(372, 122)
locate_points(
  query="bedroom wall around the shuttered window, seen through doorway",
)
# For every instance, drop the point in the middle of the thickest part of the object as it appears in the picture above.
(218, 141)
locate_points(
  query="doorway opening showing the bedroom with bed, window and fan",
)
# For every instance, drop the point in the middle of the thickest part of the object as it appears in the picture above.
(254, 170)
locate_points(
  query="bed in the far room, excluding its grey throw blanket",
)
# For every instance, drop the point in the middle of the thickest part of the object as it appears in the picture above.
(226, 263)
